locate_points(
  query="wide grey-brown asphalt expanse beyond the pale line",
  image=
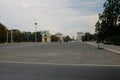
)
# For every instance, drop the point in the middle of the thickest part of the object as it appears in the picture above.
(68, 53)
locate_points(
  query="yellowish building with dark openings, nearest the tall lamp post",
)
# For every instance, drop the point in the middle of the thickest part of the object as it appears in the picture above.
(46, 36)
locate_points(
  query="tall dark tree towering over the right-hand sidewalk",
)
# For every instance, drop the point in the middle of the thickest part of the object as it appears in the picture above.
(107, 26)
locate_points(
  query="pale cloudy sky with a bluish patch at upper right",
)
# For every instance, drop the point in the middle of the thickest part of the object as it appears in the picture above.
(65, 16)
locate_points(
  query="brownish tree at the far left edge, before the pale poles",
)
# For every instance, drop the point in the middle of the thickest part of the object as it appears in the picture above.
(3, 33)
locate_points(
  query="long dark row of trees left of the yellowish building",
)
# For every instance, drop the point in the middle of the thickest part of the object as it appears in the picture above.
(15, 35)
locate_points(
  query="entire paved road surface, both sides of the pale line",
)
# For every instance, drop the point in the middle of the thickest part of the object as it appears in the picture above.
(57, 61)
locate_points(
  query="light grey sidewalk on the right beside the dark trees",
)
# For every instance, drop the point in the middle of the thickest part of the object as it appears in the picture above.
(112, 48)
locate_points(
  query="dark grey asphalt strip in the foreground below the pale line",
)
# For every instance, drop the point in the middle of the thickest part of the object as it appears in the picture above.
(29, 71)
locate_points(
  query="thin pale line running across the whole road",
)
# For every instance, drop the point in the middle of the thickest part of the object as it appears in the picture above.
(62, 64)
